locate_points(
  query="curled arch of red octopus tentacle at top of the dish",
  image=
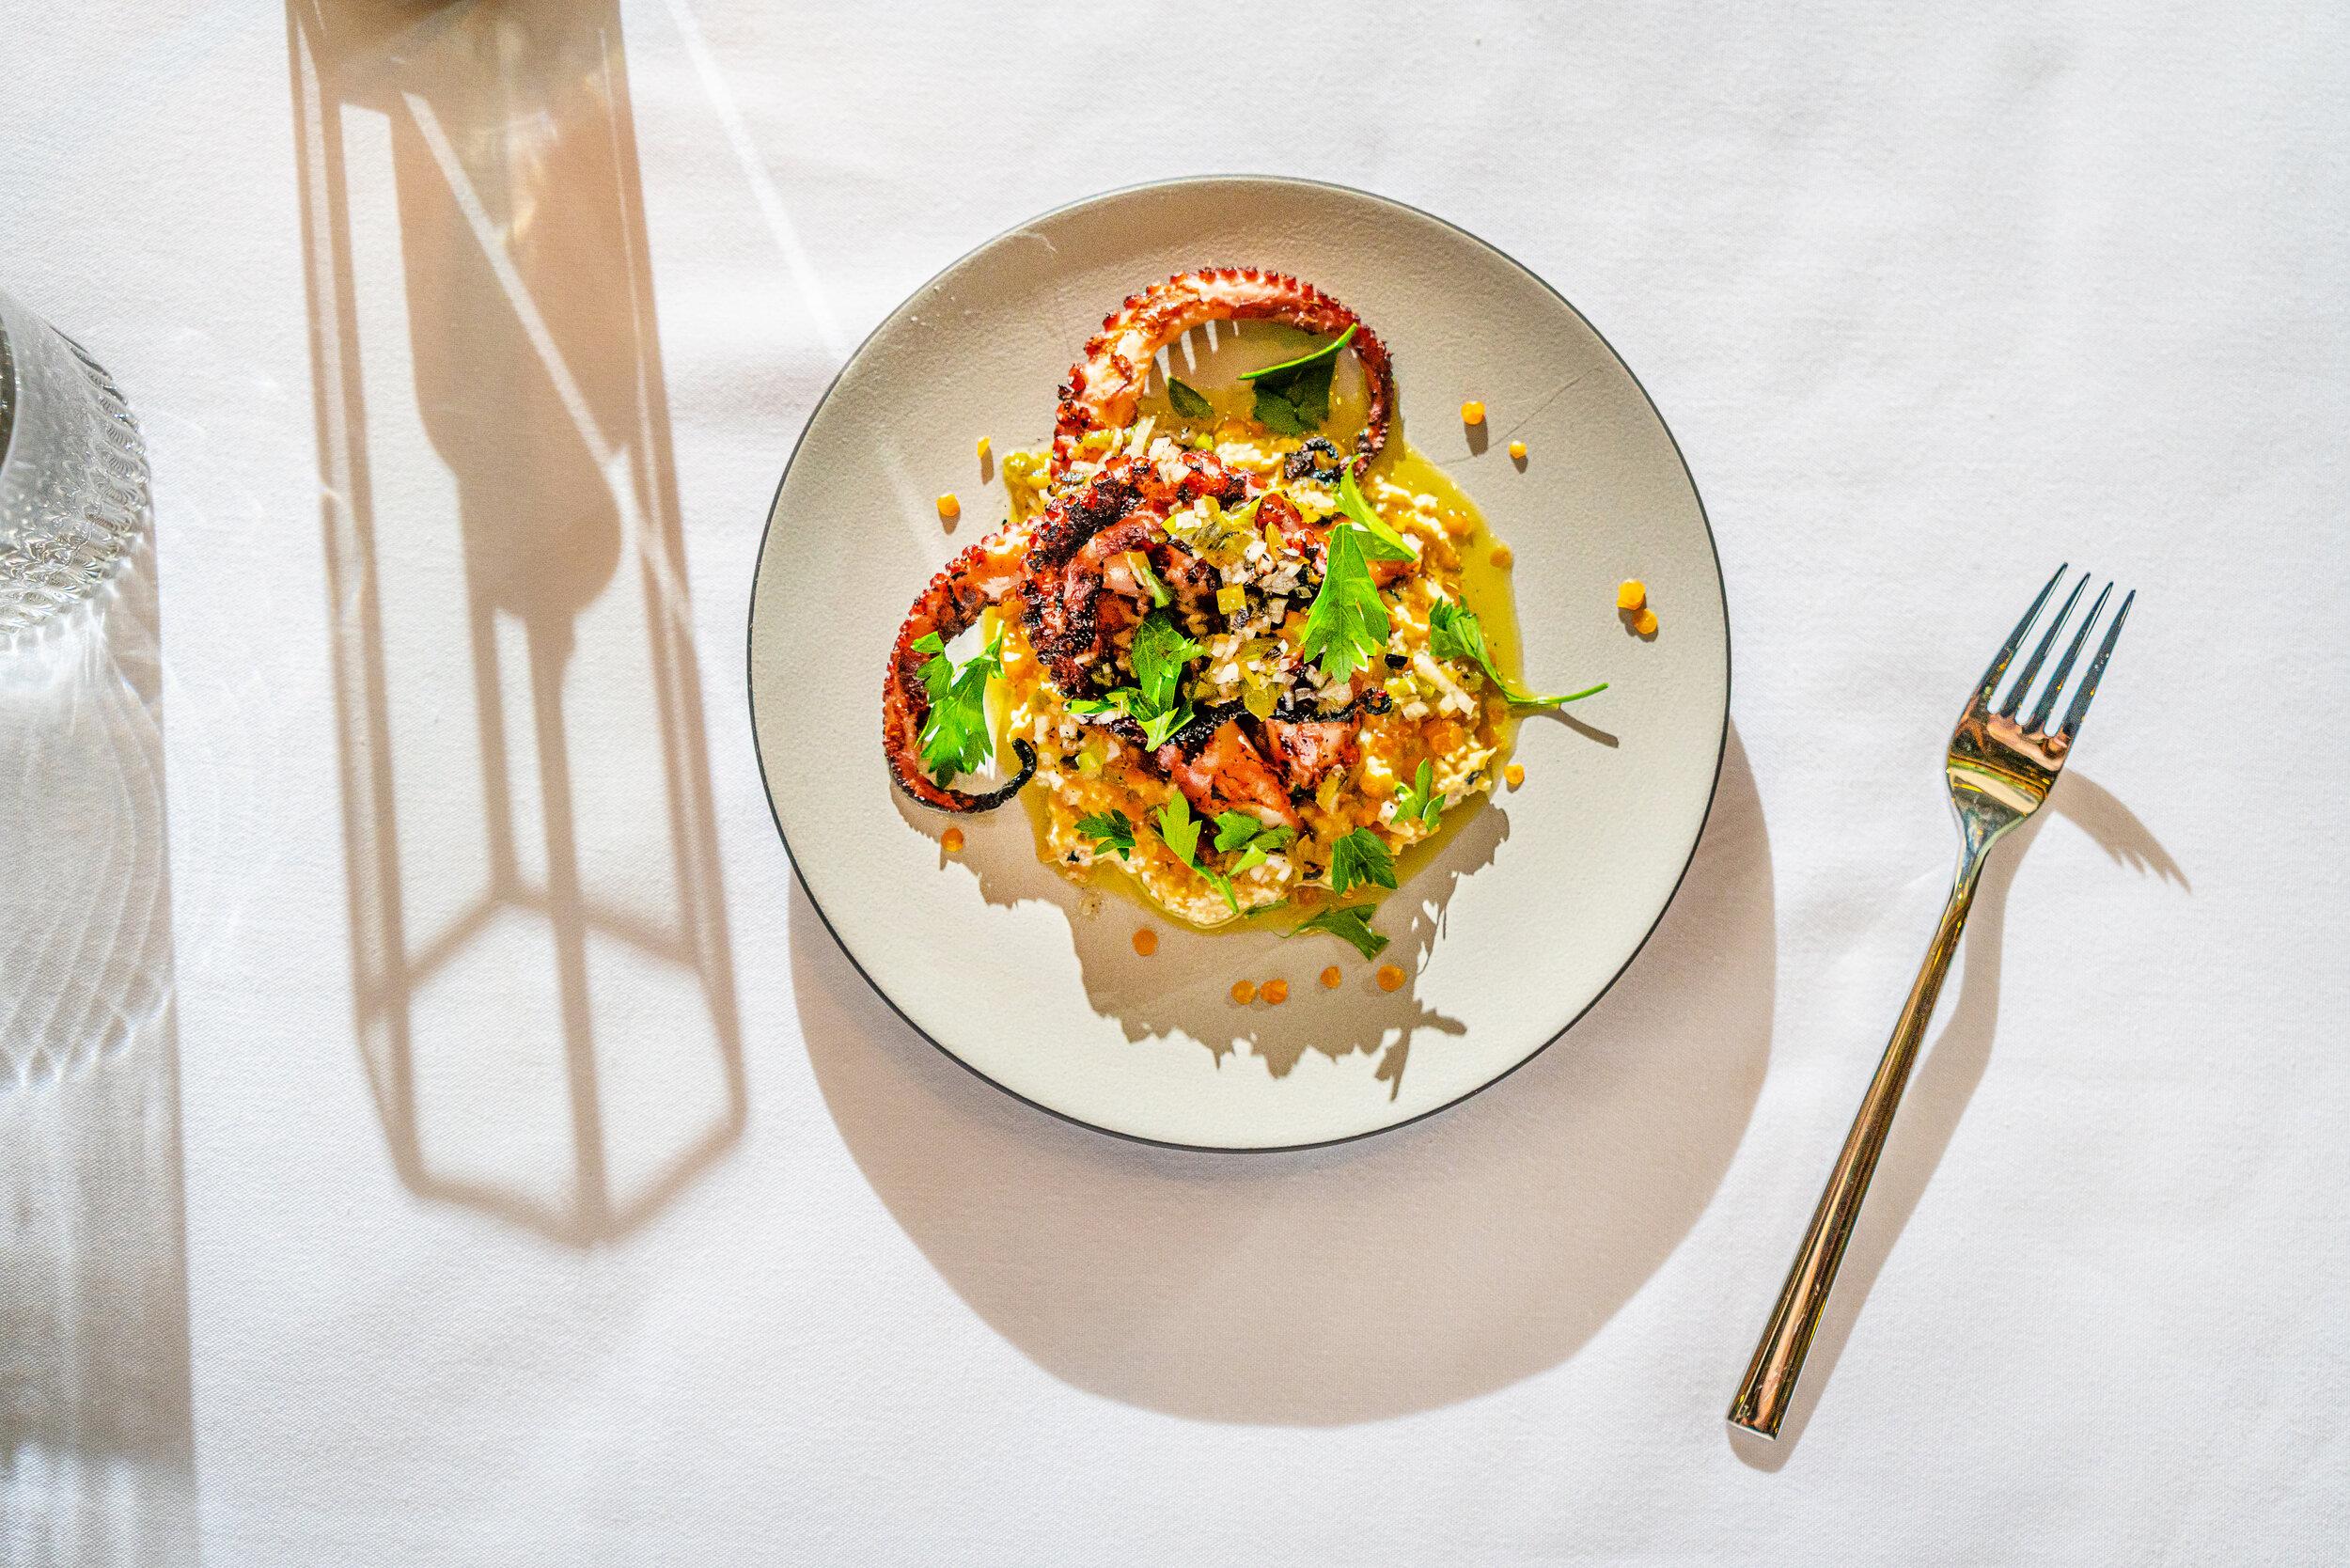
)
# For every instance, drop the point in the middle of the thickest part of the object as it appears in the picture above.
(1117, 361)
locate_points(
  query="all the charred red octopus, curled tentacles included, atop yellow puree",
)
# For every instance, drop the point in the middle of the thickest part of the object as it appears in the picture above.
(1068, 572)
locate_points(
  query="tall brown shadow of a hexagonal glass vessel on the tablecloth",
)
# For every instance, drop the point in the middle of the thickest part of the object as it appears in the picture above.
(542, 972)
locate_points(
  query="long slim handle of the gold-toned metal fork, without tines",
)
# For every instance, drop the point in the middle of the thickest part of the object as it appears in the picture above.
(1771, 1379)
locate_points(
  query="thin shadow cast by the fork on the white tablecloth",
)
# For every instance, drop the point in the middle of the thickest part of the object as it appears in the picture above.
(1942, 1087)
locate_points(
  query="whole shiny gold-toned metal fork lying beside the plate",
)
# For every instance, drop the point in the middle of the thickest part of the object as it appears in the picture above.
(2001, 772)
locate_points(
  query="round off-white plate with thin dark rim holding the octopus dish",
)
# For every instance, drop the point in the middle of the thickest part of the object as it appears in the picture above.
(1526, 916)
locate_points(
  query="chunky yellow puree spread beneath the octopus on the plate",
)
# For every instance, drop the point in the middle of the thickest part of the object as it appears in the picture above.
(1444, 711)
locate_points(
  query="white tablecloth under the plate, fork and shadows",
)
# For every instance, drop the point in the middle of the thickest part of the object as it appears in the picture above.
(556, 1193)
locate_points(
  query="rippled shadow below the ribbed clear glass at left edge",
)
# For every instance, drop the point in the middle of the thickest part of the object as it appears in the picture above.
(98, 1438)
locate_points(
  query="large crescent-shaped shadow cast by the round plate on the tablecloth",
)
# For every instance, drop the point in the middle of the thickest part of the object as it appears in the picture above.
(1324, 1287)
